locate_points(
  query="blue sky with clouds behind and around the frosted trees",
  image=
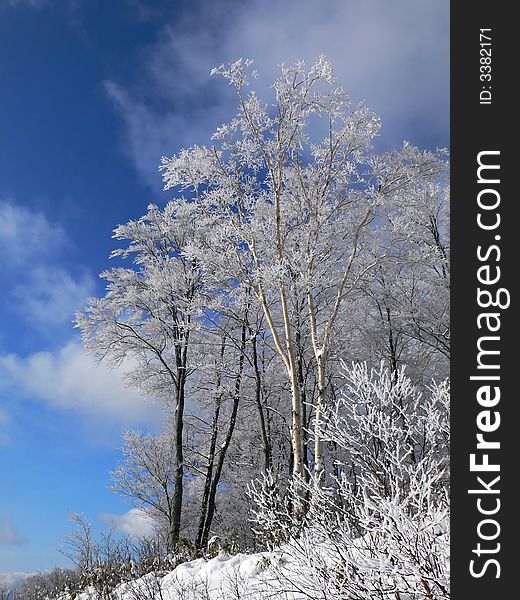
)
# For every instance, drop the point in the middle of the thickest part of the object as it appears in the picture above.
(92, 93)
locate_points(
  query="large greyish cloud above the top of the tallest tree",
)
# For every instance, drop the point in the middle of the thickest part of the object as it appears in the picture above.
(395, 55)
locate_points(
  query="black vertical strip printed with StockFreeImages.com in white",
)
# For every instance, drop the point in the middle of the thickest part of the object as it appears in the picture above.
(484, 122)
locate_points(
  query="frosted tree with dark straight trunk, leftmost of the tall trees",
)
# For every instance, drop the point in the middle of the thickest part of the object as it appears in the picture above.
(148, 316)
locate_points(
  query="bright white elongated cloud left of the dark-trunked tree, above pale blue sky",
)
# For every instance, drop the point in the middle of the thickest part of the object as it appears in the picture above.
(69, 379)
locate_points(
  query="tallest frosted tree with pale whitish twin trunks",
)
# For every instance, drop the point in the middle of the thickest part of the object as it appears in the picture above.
(296, 199)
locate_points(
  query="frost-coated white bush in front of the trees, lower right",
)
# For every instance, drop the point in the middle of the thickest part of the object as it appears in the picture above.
(378, 527)
